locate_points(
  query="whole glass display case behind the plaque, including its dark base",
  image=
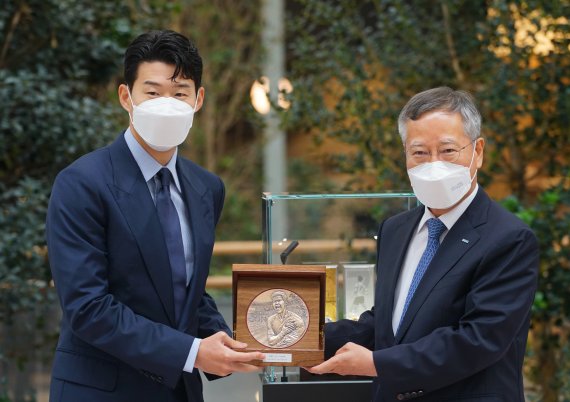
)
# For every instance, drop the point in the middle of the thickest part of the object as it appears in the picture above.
(339, 232)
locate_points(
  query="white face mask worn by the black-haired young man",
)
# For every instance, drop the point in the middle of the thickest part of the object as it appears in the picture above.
(163, 123)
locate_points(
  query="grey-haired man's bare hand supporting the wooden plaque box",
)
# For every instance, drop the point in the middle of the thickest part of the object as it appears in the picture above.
(351, 359)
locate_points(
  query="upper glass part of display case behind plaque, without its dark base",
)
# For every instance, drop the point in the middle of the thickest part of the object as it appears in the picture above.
(335, 230)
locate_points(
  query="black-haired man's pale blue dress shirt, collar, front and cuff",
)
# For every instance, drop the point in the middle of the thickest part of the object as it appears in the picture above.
(149, 168)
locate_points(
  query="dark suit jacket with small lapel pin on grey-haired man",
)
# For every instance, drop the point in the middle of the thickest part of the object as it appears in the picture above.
(464, 335)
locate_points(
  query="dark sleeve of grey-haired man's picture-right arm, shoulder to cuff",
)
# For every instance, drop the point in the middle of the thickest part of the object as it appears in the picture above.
(496, 308)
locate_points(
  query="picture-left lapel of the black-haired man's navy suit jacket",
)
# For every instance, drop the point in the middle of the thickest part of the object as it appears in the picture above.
(136, 205)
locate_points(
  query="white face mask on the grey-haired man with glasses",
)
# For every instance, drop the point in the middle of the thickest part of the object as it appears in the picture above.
(439, 184)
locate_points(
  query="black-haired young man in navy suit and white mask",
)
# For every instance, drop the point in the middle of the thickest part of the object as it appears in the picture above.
(130, 232)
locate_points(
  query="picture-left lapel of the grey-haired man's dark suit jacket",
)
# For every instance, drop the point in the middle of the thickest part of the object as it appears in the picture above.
(393, 255)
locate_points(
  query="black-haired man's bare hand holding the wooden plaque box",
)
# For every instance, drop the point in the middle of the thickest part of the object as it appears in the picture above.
(216, 357)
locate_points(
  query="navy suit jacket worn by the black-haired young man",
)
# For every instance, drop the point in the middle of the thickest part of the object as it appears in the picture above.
(119, 340)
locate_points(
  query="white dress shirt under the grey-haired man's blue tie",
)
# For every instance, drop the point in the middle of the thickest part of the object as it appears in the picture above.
(416, 248)
